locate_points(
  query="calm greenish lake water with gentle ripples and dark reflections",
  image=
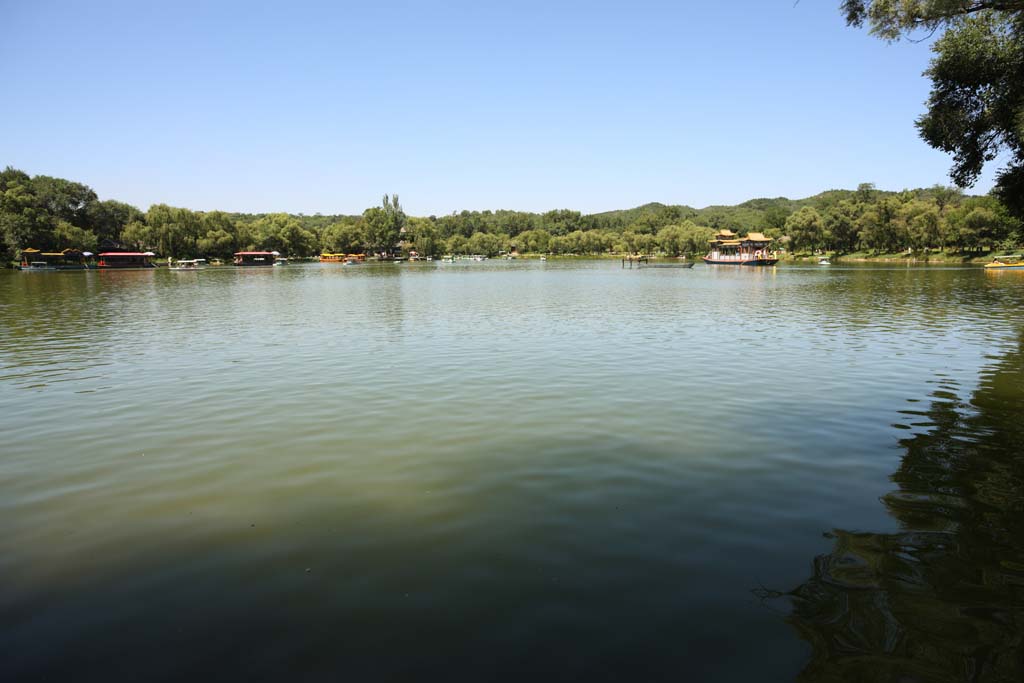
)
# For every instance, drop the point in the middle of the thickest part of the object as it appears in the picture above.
(497, 471)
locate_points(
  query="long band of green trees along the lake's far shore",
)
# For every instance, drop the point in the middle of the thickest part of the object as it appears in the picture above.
(53, 214)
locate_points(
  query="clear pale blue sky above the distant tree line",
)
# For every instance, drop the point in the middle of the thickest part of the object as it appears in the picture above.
(323, 107)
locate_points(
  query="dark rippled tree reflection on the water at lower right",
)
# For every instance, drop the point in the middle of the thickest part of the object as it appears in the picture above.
(943, 600)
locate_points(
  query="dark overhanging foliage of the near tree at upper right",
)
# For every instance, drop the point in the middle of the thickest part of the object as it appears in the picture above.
(976, 108)
